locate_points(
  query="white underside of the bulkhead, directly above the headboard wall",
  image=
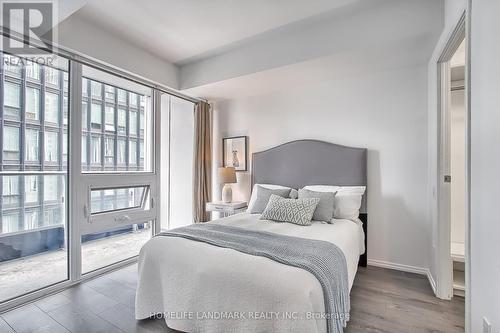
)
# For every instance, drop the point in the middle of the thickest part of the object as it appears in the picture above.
(317, 71)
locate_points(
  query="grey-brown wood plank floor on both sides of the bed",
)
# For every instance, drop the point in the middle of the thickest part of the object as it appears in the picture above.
(382, 300)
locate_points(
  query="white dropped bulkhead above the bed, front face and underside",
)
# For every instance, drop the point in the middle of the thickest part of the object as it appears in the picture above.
(335, 47)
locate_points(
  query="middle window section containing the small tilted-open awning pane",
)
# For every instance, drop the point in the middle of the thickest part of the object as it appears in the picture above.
(117, 137)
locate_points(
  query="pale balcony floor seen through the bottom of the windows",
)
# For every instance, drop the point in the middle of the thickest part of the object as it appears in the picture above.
(27, 274)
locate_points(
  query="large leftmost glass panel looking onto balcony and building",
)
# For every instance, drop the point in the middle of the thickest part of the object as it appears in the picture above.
(33, 175)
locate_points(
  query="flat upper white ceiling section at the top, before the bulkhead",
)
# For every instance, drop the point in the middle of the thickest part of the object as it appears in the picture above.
(180, 30)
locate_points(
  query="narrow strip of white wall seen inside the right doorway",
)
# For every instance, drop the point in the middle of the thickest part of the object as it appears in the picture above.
(458, 163)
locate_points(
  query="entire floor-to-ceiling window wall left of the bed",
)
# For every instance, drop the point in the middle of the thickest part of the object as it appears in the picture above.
(80, 171)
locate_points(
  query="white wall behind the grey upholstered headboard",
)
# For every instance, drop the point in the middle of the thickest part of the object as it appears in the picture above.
(382, 111)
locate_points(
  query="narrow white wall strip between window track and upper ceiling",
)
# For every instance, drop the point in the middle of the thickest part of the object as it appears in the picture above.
(77, 34)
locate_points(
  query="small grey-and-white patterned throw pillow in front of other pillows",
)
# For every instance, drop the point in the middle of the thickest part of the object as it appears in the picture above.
(296, 211)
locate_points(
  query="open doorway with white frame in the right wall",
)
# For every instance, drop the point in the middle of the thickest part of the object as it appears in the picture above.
(454, 167)
